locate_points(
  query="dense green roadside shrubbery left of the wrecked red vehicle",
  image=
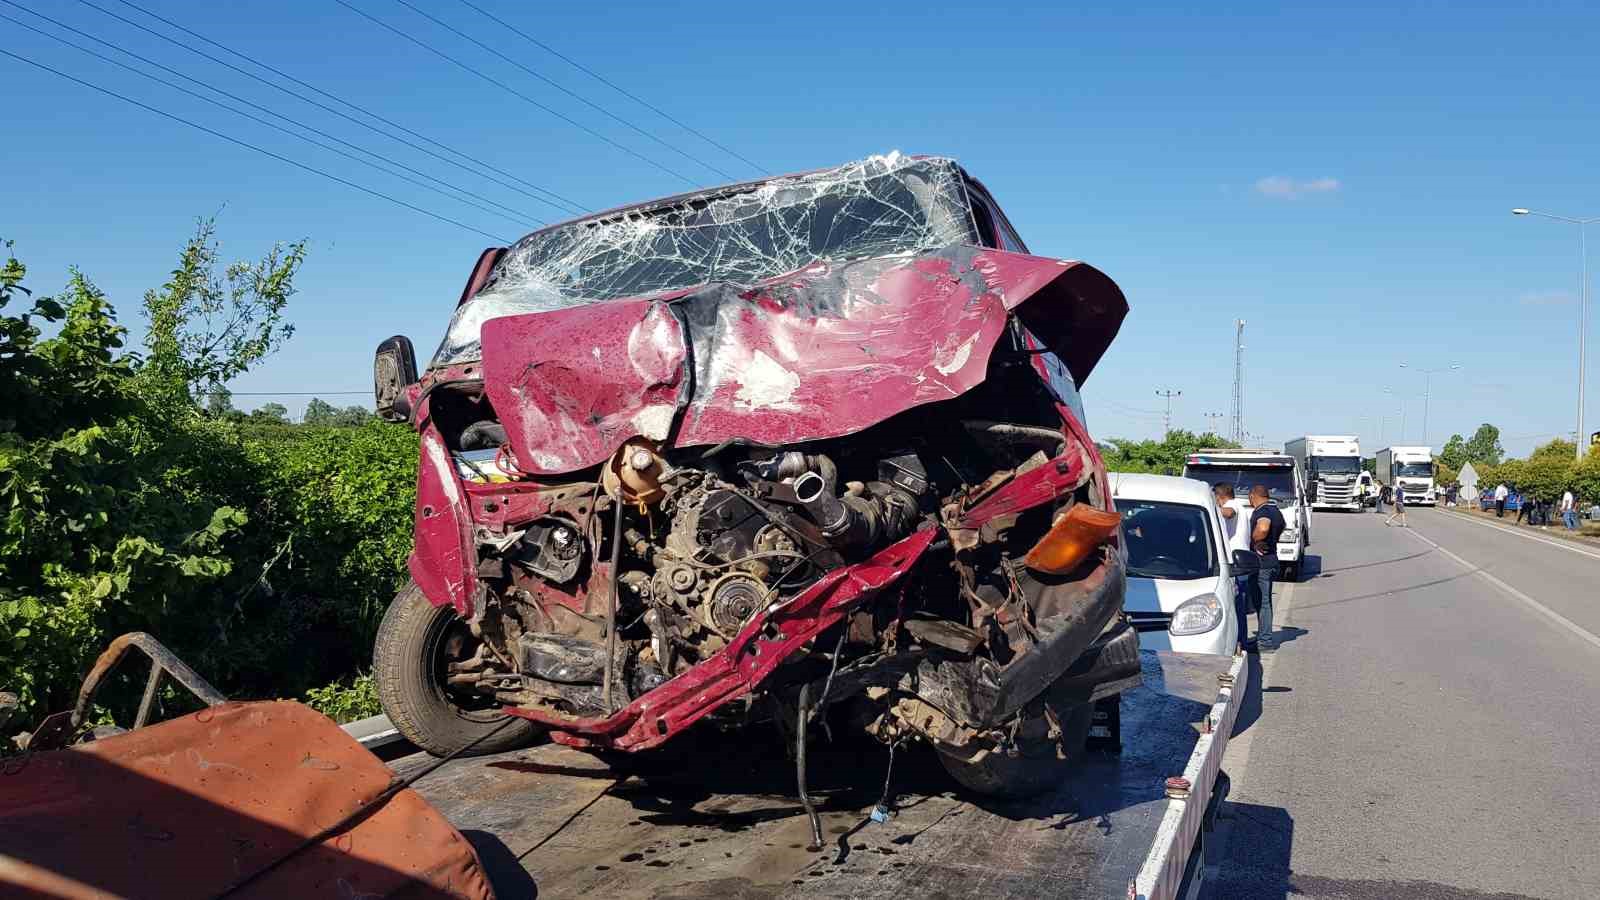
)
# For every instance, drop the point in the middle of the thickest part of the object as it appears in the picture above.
(262, 555)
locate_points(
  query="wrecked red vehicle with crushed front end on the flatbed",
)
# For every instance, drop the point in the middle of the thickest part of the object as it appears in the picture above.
(790, 449)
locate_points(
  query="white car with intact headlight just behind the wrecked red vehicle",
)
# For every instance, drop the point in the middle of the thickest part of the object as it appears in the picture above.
(1180, 573)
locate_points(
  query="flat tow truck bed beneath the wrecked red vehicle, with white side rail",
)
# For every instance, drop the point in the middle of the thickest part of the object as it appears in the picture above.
(722, 821)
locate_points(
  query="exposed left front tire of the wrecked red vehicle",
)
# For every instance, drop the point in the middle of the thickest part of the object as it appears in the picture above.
(409, 665)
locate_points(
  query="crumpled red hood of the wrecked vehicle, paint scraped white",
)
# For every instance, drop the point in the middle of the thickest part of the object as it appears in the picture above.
(820, 353)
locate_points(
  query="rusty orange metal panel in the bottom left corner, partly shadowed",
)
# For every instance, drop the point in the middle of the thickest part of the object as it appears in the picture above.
(193, 806)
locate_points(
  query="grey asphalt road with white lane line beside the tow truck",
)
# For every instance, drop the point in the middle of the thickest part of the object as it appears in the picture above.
(1430, 726)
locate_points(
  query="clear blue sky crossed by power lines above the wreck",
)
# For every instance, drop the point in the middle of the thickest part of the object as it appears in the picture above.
(1340, 179)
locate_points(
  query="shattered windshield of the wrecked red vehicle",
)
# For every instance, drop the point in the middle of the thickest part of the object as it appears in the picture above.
(878, 207)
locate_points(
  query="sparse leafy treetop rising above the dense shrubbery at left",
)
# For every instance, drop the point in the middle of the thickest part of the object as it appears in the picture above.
(207, 327)
